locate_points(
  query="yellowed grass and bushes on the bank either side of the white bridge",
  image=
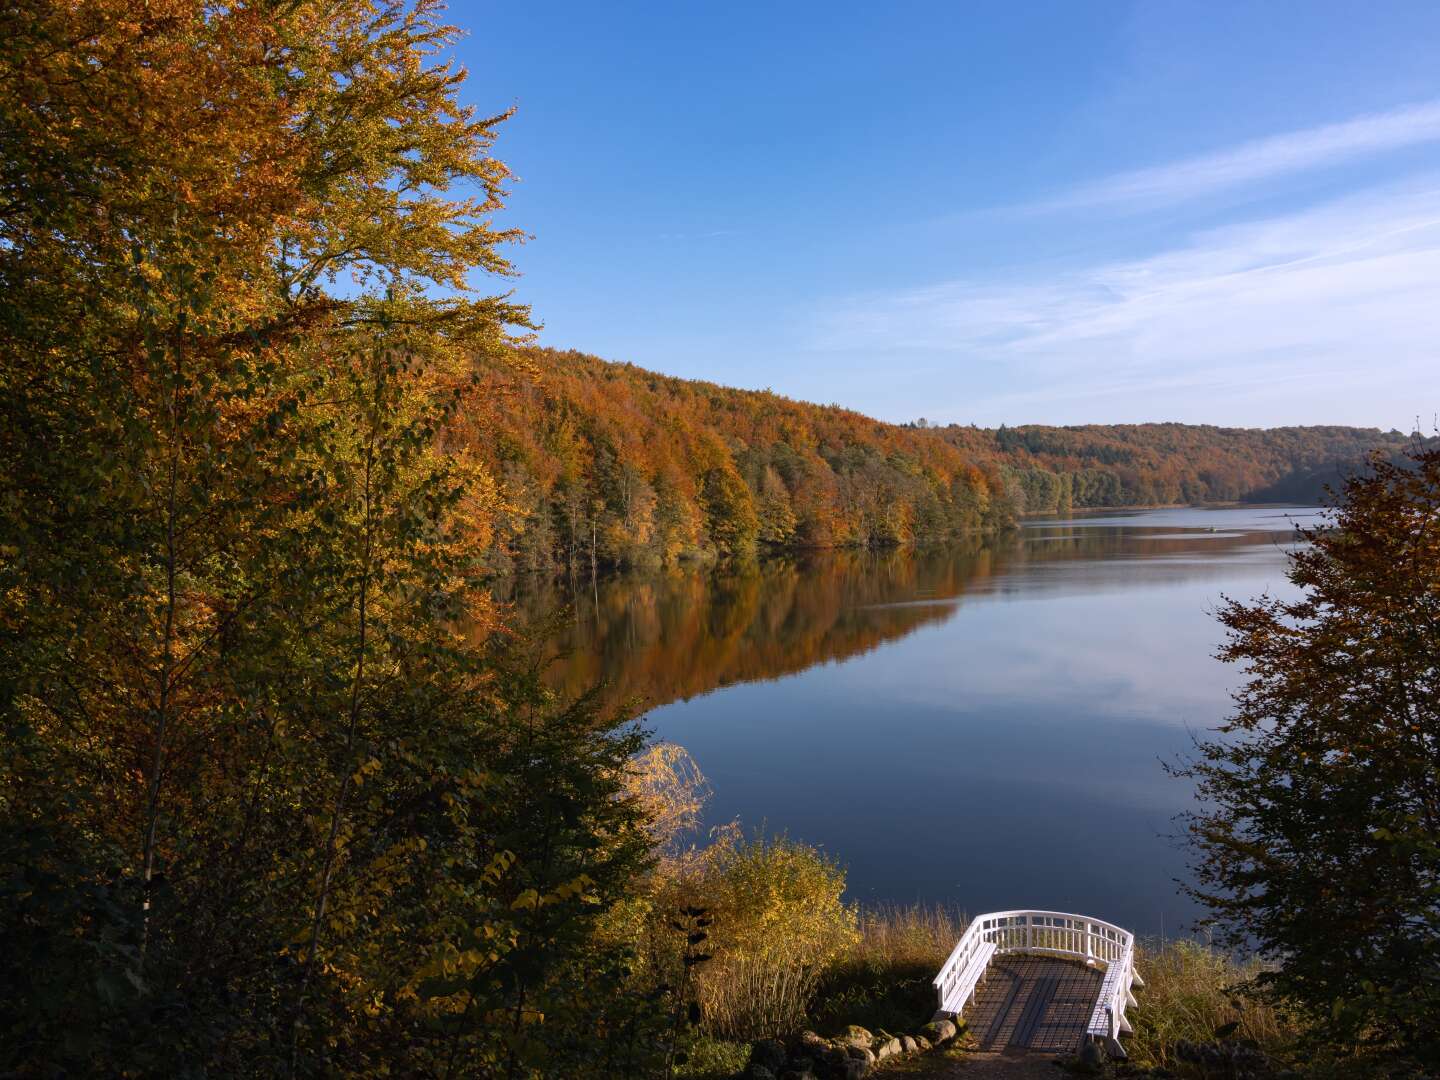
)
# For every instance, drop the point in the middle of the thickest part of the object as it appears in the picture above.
(784, 953)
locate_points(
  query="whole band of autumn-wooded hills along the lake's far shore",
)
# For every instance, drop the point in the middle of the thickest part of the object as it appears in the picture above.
(606, 464)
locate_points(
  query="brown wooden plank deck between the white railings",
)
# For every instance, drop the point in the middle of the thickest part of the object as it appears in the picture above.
(1033, 1003)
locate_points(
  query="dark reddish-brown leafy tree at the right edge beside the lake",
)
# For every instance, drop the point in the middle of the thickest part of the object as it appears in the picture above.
(1320, 833)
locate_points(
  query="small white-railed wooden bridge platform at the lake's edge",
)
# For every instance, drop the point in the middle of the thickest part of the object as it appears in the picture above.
(1042, 981)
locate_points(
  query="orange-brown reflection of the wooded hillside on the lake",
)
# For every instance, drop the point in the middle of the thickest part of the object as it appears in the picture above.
(683, 633)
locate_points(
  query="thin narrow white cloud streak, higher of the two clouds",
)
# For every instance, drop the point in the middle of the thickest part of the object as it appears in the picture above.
(1262, 159)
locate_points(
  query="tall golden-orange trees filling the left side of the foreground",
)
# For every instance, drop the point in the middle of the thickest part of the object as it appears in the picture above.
(264, 807)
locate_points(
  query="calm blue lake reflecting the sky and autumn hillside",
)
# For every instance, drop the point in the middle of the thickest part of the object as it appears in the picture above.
(980, 725)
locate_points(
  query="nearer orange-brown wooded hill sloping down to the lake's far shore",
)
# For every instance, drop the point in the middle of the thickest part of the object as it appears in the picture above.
(614, 464)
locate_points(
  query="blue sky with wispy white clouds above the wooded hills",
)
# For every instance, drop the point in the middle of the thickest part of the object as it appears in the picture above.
(987, 212)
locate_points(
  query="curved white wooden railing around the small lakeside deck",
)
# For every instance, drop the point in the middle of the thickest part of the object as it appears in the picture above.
(1048, 934)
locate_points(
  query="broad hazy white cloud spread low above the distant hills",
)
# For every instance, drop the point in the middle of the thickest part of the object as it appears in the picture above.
(1324, 309)
